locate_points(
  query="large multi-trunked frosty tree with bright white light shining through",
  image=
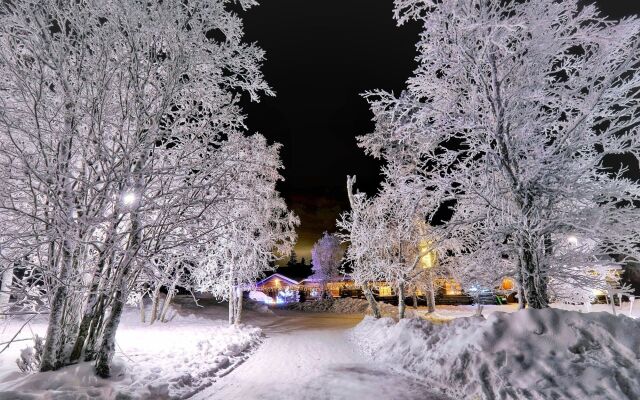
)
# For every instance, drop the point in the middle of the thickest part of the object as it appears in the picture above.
(111, 120)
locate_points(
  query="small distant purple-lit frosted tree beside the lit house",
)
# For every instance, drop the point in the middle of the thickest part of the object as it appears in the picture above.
(326, 258)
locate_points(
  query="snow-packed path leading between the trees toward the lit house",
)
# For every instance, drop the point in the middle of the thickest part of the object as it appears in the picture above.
(309, 357)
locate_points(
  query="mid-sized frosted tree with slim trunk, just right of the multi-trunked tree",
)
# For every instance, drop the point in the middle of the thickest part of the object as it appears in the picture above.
(257, 230)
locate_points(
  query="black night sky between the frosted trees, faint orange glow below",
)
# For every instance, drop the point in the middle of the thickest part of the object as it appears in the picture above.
(321, 54)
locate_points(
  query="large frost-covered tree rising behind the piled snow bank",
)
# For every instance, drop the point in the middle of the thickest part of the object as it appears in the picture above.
(513, 120)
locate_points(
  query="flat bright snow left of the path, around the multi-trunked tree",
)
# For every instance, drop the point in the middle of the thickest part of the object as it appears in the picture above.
(165, 360)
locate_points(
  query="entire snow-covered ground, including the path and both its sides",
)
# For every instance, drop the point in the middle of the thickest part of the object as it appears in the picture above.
(321, 356)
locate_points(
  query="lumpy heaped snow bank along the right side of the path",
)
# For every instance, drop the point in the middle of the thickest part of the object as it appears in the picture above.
(532, 354)
